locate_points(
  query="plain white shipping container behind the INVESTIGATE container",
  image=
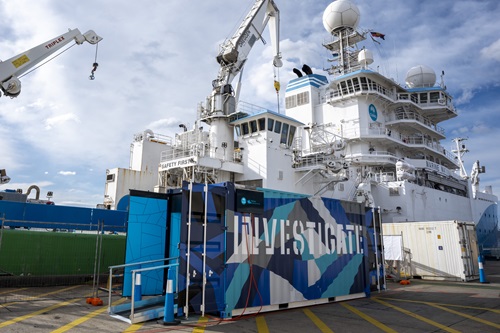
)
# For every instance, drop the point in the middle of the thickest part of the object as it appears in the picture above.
(440, 250)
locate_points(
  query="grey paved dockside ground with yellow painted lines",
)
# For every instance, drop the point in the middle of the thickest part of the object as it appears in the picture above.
(421, 306)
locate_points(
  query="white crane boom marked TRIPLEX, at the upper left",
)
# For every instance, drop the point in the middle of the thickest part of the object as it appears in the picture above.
(12, 68)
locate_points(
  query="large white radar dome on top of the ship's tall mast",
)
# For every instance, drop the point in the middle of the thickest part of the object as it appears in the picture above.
(340, 14)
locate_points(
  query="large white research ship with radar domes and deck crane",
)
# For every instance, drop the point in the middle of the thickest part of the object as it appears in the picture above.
(349, 133)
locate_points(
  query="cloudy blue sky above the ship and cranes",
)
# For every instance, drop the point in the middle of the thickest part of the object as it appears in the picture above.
(157, 62)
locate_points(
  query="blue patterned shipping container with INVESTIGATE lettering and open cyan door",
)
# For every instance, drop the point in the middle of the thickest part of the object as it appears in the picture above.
(244, 250)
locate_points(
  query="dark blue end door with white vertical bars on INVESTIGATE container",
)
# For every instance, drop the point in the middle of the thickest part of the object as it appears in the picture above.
(202, 248)
